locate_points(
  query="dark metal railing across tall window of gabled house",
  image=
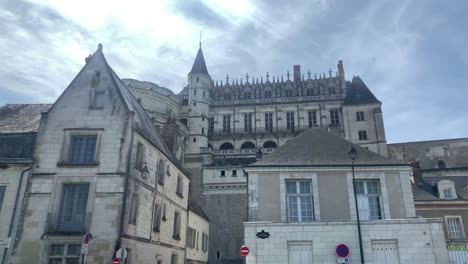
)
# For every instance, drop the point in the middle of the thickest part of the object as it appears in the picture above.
(72, 223)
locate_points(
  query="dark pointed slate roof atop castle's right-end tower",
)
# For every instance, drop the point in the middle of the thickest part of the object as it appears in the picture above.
(358, 93)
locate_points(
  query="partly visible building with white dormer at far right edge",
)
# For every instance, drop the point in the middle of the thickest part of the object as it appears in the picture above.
(440, 186)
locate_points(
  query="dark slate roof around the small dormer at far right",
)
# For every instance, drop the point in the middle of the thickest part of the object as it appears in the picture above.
(427, 191)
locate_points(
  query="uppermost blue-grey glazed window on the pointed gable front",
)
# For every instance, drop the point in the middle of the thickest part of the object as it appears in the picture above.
(82, 149)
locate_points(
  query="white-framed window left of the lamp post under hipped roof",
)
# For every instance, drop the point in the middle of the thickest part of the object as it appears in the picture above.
(299, 201)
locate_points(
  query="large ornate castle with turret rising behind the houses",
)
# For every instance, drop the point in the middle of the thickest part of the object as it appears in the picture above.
(217, 127)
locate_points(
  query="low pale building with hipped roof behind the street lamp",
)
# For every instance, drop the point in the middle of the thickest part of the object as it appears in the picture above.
(302, 195)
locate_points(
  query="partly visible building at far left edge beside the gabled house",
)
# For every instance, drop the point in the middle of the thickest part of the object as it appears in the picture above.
(18, 127)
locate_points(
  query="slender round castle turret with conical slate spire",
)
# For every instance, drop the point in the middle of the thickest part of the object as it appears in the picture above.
(199, 87)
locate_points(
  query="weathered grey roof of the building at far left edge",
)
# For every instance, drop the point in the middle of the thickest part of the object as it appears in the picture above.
(21, 118)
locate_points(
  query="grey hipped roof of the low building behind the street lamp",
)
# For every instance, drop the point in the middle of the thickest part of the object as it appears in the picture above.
(318, 147)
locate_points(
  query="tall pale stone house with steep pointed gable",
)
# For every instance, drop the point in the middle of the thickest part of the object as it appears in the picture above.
(102, 167)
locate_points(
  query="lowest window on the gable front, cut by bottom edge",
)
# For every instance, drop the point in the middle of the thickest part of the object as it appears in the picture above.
(64, 253)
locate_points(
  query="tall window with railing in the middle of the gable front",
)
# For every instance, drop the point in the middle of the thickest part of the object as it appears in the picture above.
(72, 215)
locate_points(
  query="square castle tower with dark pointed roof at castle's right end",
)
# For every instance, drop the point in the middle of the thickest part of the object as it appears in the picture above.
(362, 116)
